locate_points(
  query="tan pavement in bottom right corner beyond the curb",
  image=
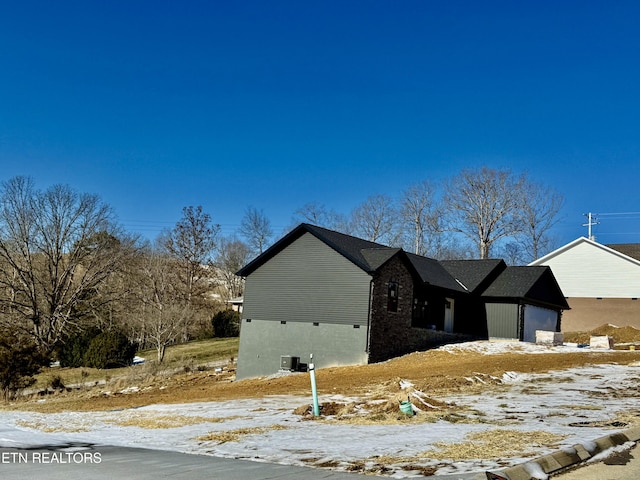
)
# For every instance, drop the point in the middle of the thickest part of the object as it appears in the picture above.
(619, 466)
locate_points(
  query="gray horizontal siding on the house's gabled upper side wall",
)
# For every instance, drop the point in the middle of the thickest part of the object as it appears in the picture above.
(308, 282)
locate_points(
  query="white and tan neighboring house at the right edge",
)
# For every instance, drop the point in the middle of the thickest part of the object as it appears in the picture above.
(601, 283)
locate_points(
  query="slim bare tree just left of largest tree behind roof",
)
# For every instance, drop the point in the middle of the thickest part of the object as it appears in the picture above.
(420, 215)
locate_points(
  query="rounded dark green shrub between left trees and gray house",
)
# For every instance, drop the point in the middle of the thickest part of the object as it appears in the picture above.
(110, 350)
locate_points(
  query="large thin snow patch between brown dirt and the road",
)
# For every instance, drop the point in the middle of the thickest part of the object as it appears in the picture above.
(577, 403)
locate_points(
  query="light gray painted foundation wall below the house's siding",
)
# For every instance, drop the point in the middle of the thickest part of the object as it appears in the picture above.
(263, 342)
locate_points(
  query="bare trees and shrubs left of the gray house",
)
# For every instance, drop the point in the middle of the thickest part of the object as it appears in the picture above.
(69, 273)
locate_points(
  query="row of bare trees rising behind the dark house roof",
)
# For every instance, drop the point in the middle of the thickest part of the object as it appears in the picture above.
(479, 213)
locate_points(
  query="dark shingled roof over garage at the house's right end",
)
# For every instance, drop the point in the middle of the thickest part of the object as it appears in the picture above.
(529, 283)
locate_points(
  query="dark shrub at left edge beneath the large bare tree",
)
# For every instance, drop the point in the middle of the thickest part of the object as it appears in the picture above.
(20, 360)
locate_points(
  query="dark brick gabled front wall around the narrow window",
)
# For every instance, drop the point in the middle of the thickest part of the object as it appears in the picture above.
(391, 333)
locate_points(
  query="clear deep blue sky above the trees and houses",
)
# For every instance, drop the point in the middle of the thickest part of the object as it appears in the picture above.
(156, 105)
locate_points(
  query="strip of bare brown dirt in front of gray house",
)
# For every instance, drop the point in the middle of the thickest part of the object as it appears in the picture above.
(435, 372)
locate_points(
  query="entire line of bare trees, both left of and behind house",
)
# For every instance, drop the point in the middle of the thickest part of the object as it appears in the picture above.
(76, 287)
